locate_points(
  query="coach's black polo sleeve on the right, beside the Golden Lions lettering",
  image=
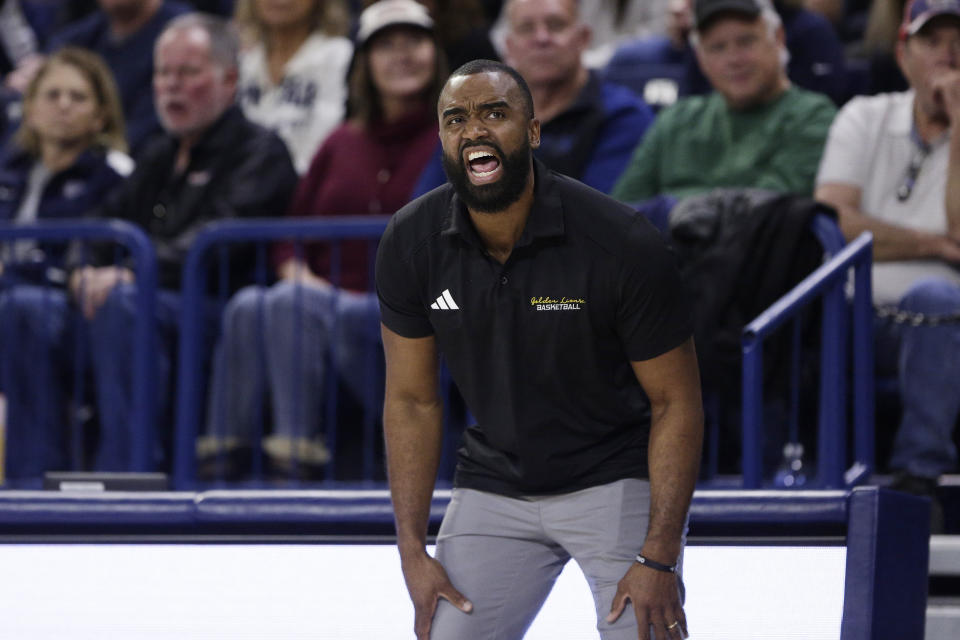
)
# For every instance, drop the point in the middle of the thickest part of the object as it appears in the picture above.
(654, 313)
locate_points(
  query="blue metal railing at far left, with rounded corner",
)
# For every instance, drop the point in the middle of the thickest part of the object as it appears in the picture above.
(144, 356)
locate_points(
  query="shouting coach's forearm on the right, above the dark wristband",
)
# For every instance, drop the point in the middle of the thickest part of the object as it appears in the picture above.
(676, 438)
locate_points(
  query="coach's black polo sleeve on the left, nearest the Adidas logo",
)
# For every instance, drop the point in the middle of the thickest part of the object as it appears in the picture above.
(401, 309)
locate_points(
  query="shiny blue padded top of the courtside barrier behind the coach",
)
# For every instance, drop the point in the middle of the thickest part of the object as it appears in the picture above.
(351, 508)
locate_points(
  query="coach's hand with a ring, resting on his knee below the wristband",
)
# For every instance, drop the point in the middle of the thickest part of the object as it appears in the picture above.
(656, 602)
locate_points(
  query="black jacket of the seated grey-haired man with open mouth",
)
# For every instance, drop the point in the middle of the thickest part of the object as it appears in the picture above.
(237, 170)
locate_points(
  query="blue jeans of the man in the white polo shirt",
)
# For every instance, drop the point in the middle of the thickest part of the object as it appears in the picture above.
(928, 369)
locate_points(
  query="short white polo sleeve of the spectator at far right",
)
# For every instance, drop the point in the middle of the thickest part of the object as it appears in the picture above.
(842, 161)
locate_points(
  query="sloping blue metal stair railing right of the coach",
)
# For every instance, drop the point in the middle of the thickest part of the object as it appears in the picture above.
(826, 283)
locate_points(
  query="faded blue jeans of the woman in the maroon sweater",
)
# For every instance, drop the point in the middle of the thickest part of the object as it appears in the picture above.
(287, 336)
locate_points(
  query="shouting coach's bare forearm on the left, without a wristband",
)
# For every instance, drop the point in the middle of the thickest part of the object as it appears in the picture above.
(414, 435)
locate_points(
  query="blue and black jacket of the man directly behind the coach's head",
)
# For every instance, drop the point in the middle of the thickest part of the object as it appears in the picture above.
(592, 140)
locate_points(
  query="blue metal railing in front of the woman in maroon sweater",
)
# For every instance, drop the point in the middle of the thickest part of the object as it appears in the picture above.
(216, 236)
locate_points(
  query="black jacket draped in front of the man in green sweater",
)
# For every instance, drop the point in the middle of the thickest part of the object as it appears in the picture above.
(739, 251)
